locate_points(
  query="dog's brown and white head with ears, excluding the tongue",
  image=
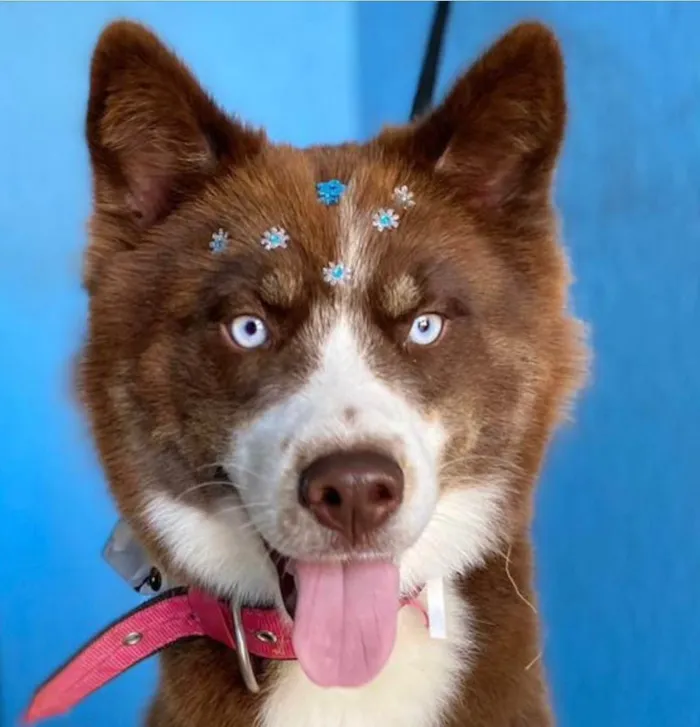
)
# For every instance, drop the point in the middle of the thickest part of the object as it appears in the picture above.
(276, 369)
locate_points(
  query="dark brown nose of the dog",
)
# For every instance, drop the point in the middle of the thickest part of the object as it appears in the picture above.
(352, 492)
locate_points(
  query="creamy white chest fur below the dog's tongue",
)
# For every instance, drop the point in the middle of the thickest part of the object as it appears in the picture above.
(414, 689)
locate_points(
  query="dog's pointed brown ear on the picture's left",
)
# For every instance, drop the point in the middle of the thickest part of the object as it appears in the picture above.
(154, 135)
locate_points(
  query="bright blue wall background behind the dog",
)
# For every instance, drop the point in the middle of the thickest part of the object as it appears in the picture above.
(619, 507)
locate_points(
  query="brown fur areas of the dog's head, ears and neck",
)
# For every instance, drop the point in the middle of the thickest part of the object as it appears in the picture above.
(163, 387)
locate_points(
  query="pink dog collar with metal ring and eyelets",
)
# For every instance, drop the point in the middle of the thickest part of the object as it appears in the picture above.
(162, 621)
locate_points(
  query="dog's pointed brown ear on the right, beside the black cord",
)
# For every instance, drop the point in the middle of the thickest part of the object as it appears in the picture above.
(497, 135)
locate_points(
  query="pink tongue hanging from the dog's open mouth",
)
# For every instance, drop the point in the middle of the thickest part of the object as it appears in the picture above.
(345, 621)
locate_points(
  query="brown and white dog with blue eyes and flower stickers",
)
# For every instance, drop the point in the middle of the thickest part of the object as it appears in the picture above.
(325, 380)
